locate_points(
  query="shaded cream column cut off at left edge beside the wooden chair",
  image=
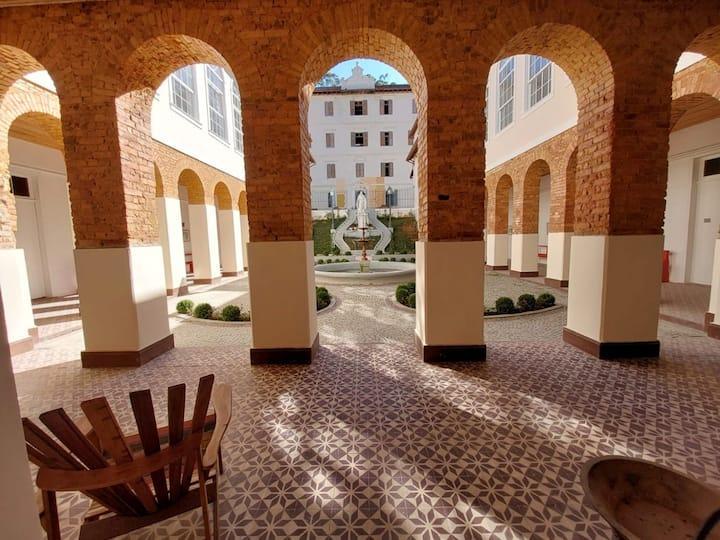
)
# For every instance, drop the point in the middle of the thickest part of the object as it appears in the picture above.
(18, 512)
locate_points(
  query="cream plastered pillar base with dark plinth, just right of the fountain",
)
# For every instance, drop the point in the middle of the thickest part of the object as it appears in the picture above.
(445, 328)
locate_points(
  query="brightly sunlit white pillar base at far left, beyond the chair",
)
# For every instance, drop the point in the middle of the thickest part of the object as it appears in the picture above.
(17, 304)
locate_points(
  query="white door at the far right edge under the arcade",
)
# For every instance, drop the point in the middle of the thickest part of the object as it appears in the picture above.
(707, 221)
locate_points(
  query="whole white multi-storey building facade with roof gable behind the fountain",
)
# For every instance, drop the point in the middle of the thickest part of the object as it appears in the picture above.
(360, 141)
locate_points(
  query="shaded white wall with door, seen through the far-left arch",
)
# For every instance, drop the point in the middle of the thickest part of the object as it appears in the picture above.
(49, 246)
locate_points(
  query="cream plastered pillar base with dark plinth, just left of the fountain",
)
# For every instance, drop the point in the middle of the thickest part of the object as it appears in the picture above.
(283, 305)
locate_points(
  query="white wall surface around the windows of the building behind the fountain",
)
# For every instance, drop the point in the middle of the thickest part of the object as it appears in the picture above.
(345, 156)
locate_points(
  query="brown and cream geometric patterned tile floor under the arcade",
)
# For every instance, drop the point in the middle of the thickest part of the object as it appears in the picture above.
(370, 442)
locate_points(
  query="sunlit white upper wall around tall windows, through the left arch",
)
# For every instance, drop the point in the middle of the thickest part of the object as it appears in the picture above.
(174, 128)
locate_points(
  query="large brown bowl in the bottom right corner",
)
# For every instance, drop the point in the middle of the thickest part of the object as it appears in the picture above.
(643, 500)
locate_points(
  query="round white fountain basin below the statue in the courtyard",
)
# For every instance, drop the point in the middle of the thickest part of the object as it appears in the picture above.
(348, 273)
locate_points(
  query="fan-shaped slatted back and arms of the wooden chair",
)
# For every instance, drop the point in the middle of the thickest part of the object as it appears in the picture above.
(130, 476)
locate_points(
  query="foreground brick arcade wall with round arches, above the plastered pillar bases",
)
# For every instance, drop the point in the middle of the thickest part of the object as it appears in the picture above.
(106, 59)
